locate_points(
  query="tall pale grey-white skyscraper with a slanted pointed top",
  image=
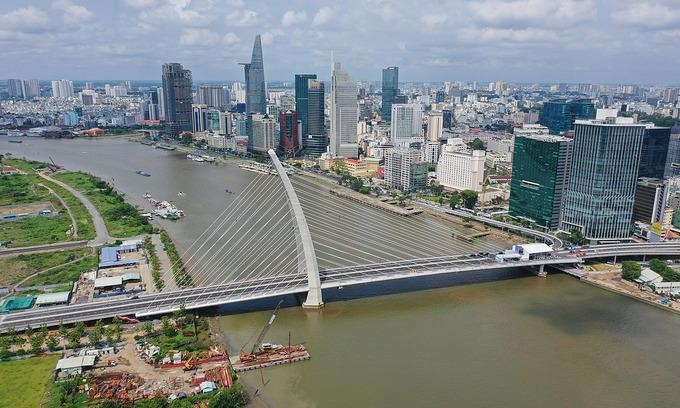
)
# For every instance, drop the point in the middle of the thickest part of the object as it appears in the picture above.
(344, 114)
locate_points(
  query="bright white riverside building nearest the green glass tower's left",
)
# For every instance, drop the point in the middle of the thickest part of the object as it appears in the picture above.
(460, 168)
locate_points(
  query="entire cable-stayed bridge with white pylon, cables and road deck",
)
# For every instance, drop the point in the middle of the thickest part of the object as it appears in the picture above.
(281, 238)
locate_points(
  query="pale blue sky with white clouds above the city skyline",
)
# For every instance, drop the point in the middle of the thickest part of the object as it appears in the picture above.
(596, 41)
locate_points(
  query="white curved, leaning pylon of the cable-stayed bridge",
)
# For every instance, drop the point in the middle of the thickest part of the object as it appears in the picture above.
(308, 261)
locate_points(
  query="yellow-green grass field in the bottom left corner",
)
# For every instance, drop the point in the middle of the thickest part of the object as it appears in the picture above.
(24, 381)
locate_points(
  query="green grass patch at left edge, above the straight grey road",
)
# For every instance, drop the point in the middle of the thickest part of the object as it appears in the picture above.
(36, 230)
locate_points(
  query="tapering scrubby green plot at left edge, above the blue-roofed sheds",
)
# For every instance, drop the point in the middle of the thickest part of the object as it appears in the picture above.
(16, 268)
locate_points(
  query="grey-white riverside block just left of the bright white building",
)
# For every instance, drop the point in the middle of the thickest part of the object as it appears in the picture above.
(404, 169)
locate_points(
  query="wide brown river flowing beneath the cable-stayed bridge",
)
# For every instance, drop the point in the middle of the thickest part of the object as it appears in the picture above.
(526, 342)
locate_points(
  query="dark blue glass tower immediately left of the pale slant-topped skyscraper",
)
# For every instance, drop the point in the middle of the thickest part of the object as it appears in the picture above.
(315, 142)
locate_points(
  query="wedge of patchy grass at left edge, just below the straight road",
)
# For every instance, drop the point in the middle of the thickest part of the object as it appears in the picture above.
(18, 267)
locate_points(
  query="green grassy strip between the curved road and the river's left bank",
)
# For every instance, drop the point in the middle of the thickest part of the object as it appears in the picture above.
(122, 219)
